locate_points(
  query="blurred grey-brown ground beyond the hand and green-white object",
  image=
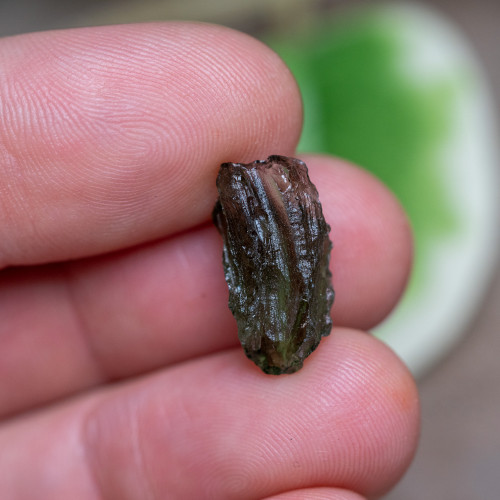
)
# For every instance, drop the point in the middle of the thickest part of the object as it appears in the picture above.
(459, 455)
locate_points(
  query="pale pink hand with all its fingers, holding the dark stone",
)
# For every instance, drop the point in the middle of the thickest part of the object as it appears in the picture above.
(121, 376)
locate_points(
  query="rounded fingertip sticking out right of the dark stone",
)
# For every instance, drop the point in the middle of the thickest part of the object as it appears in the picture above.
(372, 243)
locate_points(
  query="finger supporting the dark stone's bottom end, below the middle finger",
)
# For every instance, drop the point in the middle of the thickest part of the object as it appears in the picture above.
(349, 419)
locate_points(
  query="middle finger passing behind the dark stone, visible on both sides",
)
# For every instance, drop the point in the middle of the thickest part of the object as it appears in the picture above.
(129, 313)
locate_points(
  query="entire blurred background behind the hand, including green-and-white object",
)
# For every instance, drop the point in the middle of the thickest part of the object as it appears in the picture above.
(411, 92)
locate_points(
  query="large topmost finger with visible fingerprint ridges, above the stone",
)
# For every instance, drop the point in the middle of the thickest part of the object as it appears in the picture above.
(112, 136)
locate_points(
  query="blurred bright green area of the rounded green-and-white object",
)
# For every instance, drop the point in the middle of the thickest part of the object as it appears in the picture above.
(361, 105)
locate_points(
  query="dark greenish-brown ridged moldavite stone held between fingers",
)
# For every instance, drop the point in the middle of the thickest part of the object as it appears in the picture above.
(276, 255)
